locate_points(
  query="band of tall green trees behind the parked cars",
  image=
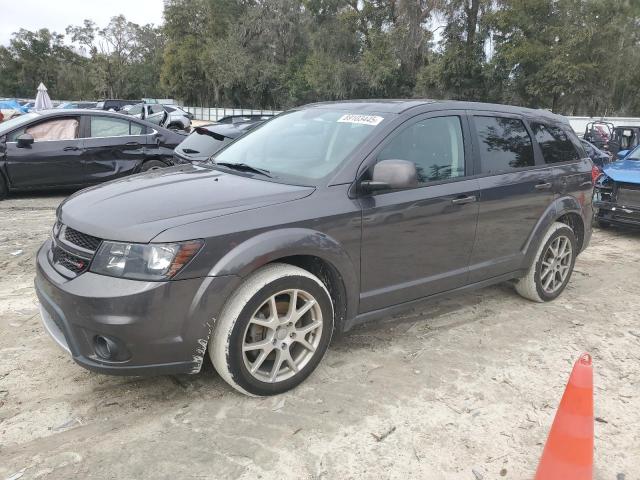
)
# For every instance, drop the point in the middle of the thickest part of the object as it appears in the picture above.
(572, 56)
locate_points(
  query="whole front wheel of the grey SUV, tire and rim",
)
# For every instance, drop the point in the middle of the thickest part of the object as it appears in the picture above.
(253, 371)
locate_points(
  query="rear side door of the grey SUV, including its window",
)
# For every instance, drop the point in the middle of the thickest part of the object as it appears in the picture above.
(516, 188)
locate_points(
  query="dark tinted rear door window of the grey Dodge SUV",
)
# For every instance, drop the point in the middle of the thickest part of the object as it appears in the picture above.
(505, 144)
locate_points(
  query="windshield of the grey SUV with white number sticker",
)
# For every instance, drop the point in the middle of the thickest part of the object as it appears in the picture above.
(302, 146)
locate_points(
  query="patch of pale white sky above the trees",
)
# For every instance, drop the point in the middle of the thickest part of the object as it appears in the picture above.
(57, 15)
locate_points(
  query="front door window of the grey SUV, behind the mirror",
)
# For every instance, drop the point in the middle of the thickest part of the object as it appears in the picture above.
(435, 145)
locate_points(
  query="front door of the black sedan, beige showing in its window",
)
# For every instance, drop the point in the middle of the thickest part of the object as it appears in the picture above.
(54, 159)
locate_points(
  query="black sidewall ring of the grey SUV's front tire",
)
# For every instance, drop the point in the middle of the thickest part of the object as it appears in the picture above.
(235, 361)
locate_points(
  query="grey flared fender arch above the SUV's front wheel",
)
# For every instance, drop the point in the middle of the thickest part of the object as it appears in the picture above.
(314, 251)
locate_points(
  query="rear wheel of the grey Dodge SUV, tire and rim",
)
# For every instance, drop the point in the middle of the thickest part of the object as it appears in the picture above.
(533, 284)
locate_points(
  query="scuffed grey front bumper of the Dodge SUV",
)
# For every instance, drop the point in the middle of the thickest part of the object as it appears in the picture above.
(158, 327)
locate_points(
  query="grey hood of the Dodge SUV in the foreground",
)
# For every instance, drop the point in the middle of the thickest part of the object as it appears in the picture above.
(140, 207)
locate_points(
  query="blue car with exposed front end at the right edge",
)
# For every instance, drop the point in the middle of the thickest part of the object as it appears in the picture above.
(617, 192)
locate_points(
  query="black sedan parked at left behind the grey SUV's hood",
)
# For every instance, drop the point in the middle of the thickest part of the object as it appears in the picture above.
(77, 148)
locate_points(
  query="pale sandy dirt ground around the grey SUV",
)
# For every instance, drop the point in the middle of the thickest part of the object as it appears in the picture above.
(465, 388)
